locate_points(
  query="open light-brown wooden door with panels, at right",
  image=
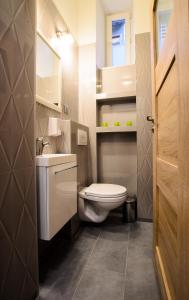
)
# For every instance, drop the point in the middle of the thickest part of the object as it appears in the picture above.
(171, 157)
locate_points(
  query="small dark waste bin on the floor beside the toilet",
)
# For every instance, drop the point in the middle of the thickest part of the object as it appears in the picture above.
(130, 210)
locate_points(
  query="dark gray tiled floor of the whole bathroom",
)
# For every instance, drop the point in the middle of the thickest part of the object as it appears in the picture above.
(111, 261)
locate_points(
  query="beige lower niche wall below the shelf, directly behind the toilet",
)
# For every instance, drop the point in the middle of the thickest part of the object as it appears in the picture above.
(117, 160)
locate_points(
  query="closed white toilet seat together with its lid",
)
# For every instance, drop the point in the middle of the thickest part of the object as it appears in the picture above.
(104, 192)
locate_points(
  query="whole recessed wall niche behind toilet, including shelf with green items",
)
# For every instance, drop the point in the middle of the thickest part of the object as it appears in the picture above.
(116, 145)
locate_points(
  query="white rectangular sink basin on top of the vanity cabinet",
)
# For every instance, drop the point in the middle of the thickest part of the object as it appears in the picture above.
(47, 160)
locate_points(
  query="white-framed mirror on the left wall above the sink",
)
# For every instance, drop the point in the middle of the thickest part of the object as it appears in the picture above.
(48, 75)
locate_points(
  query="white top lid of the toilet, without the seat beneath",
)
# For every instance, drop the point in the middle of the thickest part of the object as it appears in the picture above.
(105, 190)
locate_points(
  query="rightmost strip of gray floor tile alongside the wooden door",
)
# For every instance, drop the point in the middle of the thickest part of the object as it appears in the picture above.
(141, 282)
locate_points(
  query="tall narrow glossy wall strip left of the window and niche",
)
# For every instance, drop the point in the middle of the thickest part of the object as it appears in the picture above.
(87, 72)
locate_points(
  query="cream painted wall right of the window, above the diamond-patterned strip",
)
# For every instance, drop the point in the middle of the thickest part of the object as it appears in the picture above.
(142, 16)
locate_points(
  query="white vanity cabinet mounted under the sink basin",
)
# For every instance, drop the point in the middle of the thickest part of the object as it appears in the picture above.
(57, 195)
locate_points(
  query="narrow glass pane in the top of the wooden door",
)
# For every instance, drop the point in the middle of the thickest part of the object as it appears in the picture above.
(164, 11)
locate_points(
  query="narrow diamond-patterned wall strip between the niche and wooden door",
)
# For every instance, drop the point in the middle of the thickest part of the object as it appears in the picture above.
(144, 133)
